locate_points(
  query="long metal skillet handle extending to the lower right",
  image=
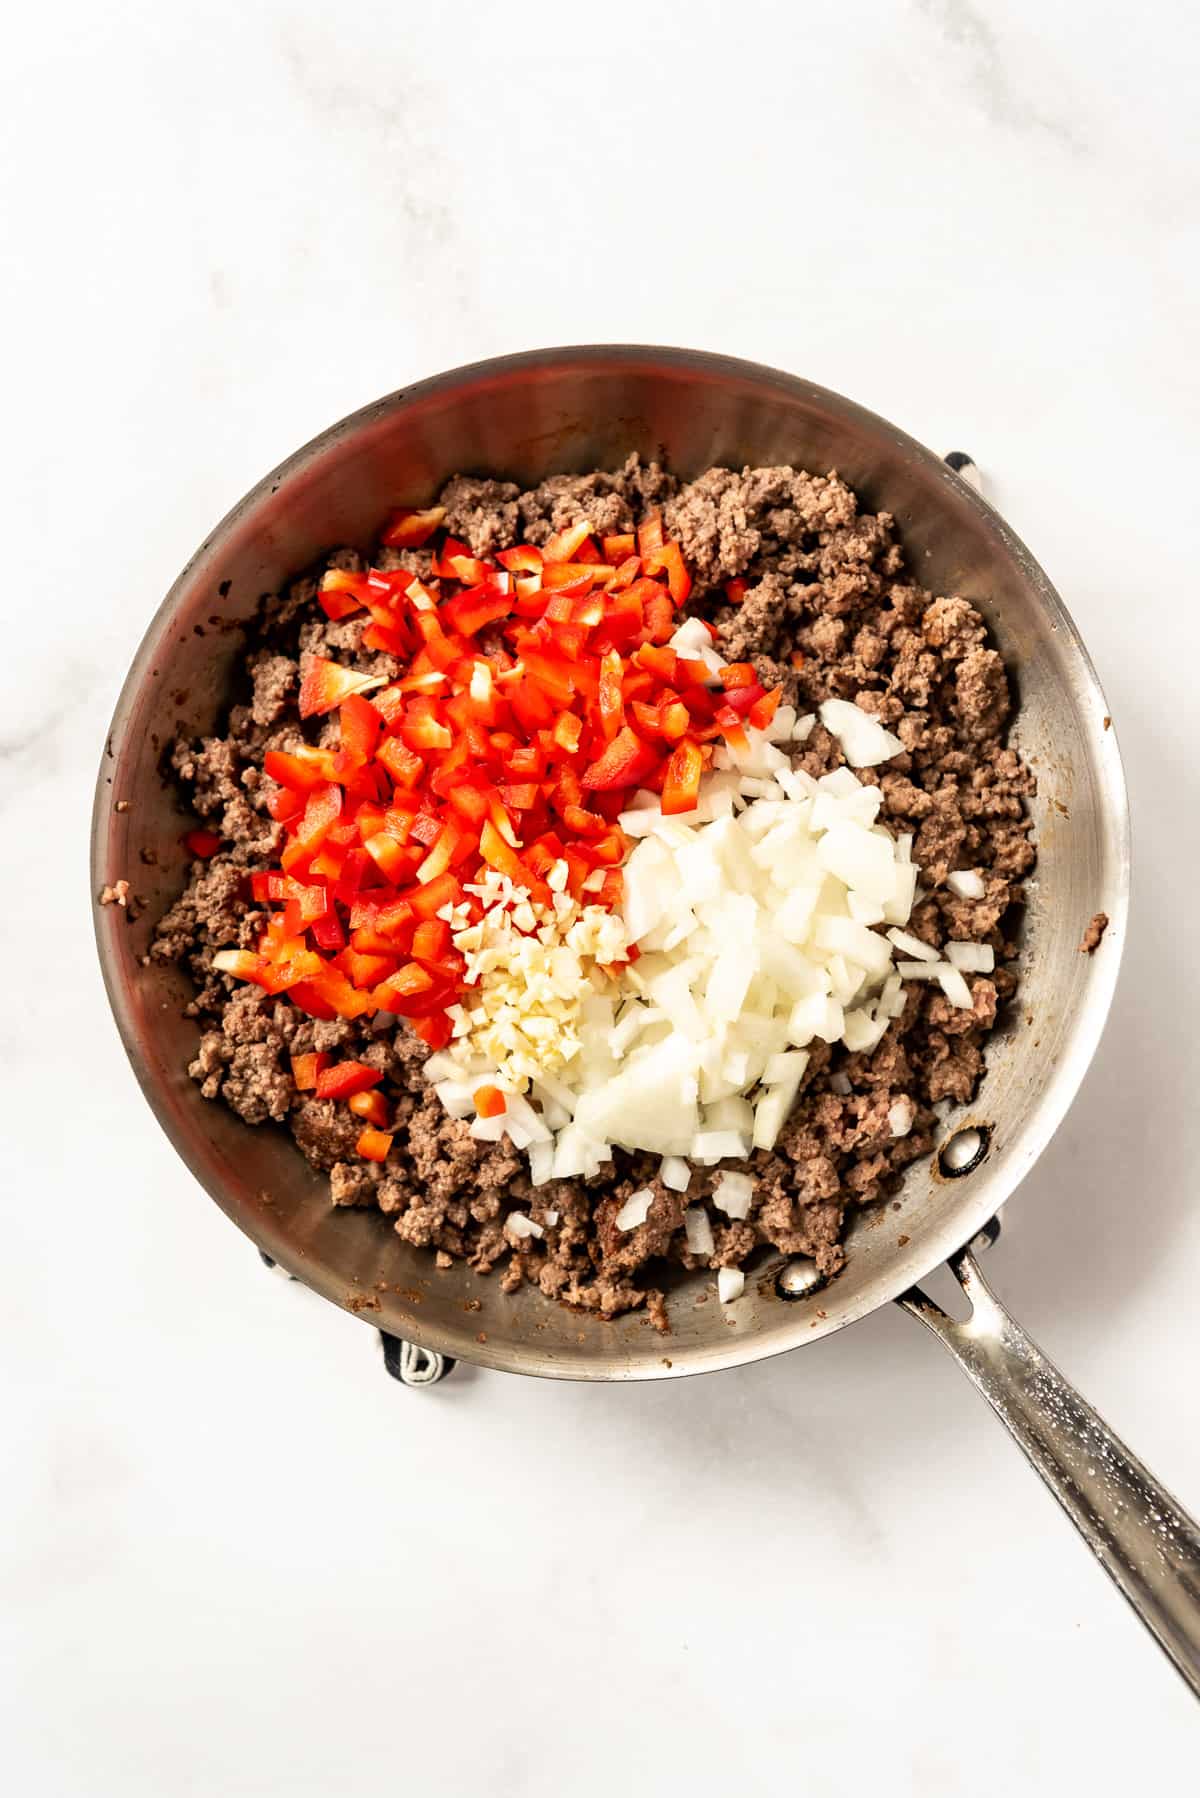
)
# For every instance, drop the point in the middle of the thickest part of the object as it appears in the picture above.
(1142, 1536)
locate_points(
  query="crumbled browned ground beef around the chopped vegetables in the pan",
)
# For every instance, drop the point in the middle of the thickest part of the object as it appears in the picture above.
(821, 578)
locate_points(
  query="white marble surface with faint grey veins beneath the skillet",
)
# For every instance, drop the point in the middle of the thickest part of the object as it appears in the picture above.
(237, 1558)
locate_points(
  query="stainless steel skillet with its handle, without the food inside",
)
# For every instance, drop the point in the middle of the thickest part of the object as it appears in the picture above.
(578, 409)
